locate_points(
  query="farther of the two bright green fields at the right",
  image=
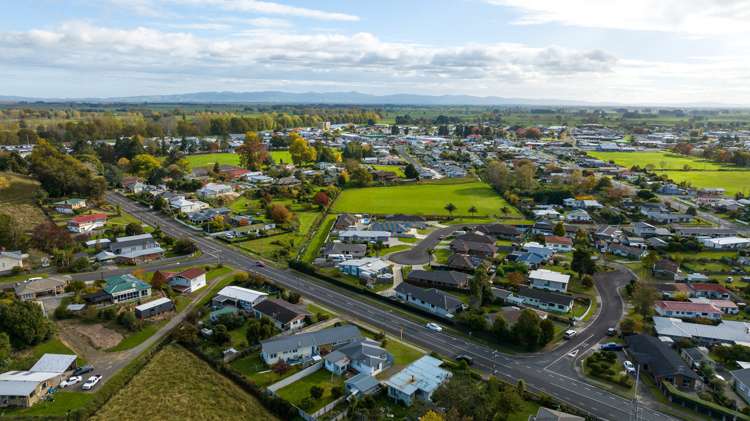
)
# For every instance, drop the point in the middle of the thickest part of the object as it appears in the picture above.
(660, 160)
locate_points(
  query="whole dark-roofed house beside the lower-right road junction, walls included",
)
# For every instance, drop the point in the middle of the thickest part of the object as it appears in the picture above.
(660, 361)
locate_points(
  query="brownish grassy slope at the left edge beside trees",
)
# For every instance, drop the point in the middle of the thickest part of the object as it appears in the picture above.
(18, 200)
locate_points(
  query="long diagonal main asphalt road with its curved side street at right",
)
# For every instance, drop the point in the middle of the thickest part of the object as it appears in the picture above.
(536, 370)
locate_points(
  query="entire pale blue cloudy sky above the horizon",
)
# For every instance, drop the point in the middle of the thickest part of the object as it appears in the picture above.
(611, 51)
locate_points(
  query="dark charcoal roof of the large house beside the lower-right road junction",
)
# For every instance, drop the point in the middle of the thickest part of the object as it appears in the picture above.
(661, 359)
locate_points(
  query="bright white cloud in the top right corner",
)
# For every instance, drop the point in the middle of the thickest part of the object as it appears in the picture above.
(689, 17)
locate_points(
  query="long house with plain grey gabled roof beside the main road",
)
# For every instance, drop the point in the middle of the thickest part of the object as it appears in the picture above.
(302, 347)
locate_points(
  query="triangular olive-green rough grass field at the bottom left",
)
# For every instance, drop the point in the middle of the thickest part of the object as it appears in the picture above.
(175, 384)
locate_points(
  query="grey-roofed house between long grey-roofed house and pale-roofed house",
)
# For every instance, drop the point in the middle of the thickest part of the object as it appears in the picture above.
(365, 356)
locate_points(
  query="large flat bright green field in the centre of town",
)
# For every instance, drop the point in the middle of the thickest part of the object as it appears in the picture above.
(424, 199)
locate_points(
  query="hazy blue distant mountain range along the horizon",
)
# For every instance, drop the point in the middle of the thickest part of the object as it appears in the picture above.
(343, 98)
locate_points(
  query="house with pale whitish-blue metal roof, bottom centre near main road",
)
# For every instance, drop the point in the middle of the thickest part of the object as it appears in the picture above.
(417, 381)
